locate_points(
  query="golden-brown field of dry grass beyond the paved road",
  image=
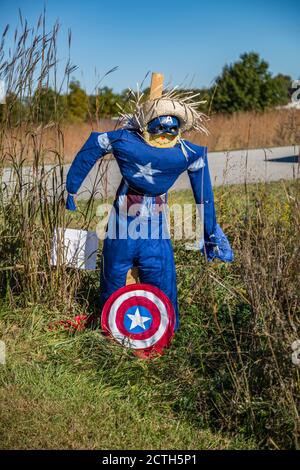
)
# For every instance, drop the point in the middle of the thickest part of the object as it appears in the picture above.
(272, 128)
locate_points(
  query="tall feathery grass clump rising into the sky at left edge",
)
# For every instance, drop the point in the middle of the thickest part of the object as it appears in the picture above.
(32, 196)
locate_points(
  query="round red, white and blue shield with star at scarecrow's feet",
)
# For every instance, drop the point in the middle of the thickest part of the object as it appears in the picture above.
(140, 317)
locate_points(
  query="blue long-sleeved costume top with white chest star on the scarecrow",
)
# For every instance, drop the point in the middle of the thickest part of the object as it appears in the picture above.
(152, 171)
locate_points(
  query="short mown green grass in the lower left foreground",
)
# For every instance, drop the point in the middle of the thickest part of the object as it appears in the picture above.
(68, 392)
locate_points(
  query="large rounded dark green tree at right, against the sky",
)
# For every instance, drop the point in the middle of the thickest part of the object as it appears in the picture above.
(248, 85)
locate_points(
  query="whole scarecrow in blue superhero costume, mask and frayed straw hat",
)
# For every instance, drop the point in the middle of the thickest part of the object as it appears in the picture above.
(151, 155)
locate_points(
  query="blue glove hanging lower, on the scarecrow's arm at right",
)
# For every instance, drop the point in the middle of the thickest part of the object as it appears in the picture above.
(217, 246)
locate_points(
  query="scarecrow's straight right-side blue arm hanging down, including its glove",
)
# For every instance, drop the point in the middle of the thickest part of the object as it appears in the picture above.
(216, 244)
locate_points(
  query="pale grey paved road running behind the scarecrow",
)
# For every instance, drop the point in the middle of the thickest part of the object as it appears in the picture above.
(225, 168)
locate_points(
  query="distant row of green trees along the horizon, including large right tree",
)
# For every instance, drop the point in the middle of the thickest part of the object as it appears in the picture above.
(246, 85)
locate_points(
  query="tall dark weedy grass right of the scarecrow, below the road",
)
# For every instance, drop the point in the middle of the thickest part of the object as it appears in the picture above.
(249, 316)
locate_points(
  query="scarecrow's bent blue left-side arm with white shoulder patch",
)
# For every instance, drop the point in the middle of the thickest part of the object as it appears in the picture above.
(96, 146)
